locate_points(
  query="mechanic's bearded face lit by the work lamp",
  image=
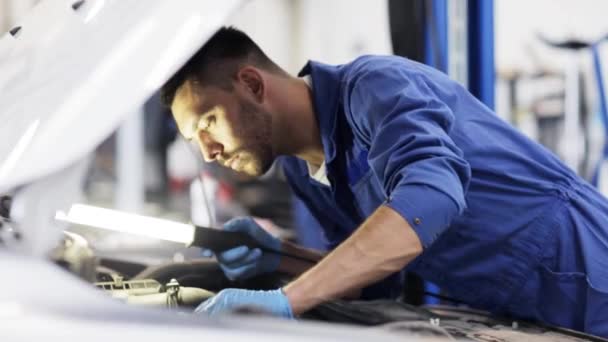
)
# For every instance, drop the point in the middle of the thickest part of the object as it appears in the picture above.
(227, 126)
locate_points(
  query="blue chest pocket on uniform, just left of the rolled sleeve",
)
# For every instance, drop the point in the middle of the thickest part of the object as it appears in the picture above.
(364, 184)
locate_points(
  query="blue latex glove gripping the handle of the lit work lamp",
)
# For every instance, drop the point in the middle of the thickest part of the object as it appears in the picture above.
(243, 262)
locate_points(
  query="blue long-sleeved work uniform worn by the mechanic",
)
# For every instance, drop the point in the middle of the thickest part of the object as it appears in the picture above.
(505, 226)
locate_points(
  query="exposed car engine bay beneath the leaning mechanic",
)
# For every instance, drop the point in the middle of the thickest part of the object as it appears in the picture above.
(182, 286)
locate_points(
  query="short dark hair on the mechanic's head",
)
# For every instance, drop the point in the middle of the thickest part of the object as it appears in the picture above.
(218, 61)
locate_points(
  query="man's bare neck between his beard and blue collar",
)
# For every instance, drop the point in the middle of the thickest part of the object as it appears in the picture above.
(297, 127)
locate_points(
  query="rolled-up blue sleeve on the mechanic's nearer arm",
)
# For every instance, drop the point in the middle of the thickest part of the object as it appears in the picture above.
(406, 127)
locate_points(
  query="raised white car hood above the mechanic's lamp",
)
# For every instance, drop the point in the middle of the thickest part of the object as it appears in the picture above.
(75, 69)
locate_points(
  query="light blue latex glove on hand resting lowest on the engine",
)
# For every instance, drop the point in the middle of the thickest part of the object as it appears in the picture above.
(274, 302)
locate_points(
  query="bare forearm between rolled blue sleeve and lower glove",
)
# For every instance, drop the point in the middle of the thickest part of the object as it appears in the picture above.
(382, 245)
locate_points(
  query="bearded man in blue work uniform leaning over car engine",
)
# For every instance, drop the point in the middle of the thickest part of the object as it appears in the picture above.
(405, 170)
